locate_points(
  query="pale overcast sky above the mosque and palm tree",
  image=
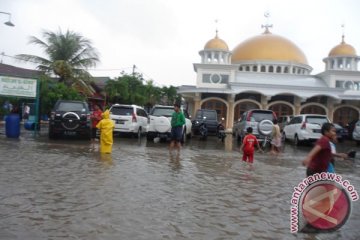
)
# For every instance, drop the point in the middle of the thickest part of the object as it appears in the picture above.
(163, 37)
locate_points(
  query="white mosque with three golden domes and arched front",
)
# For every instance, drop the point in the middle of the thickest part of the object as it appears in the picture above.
(269, 71)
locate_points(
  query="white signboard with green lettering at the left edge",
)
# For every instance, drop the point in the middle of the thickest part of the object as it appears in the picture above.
(22, 87)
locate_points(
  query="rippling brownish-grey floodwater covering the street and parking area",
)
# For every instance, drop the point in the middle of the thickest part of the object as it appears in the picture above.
(61, 190)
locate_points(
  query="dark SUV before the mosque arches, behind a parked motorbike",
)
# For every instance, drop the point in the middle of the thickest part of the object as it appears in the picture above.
(207, 116)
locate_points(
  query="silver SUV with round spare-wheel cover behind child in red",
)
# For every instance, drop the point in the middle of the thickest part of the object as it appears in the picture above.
(261, 122)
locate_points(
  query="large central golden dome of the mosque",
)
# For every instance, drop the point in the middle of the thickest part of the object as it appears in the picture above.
(268, 46)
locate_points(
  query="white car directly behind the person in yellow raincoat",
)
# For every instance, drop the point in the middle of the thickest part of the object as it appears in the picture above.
(129, 119)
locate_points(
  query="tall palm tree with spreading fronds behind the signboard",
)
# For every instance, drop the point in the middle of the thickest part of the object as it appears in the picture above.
(69, 55)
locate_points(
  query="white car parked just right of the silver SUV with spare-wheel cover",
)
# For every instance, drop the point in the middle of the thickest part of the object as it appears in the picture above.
(305, 127)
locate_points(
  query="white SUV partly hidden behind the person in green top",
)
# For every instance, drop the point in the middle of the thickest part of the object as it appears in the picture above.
(160, 123)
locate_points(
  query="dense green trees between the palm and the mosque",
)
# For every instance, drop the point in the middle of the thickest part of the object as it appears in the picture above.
(133, 89)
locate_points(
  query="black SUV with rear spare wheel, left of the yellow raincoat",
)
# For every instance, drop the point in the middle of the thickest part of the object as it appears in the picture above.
(70, 118)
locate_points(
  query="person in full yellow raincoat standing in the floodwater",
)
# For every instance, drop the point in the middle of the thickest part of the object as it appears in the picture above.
(106, 126)
